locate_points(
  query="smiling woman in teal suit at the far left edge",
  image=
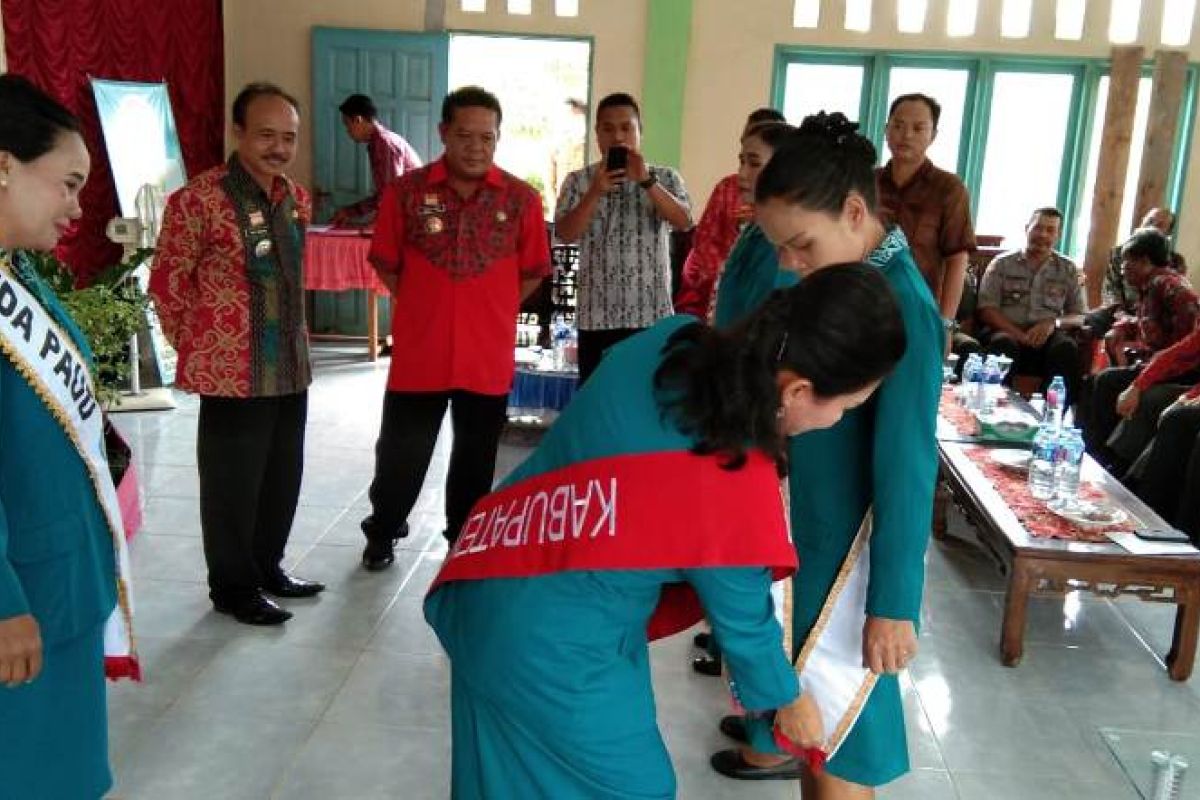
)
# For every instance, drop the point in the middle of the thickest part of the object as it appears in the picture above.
(57, 560)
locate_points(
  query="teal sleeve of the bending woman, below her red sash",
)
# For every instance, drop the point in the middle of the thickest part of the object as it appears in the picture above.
(739, 604)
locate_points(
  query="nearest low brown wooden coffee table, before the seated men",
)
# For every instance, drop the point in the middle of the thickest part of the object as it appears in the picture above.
(1040, 566)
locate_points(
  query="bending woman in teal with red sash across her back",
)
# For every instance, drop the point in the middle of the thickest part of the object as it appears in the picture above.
(550, 667)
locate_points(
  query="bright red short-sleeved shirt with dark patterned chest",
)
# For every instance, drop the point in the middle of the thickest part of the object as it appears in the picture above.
(459, 264)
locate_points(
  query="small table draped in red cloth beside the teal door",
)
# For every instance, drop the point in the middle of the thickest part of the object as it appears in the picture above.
(337, 261)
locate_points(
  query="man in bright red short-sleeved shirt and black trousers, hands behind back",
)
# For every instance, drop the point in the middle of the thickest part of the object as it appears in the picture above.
(460, 244)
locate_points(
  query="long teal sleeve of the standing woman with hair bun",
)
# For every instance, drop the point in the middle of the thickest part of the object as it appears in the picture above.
(905, 460)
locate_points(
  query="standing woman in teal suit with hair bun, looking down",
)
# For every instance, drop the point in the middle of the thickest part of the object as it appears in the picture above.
(815, 204)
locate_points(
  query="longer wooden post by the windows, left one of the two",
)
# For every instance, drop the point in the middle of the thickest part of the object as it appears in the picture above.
(1111, 175)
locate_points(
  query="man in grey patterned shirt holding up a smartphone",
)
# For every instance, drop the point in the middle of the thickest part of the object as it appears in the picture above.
(621, 210)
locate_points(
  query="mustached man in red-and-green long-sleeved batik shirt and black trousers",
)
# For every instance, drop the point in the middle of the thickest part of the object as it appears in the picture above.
(229, 290)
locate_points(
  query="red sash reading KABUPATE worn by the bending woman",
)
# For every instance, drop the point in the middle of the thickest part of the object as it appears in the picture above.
(661, 510)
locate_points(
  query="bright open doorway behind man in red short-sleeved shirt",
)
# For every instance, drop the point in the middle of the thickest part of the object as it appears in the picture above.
(544, 87)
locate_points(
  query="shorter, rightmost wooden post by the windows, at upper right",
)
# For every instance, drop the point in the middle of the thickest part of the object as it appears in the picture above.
(1171, 80)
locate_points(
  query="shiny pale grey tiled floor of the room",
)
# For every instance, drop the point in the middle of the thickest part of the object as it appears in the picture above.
(350, 699)
